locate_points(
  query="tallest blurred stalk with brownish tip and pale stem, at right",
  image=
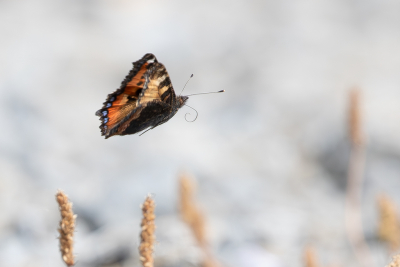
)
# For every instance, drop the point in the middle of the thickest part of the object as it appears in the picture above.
(353, 218)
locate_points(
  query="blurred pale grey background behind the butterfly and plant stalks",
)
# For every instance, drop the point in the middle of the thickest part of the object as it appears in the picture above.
(269, 156)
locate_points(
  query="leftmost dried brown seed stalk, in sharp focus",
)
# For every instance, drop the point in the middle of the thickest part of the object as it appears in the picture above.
(67, 227)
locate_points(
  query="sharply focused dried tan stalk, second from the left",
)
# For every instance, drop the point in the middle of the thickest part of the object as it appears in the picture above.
(147, 235)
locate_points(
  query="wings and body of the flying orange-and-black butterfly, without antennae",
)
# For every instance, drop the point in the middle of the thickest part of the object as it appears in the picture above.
(145, 100)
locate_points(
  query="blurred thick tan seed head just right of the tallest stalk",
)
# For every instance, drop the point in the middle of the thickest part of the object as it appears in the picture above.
(388, 229)
